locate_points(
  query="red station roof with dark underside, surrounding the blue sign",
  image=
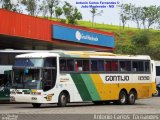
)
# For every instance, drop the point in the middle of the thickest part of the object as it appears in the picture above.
(20, 31)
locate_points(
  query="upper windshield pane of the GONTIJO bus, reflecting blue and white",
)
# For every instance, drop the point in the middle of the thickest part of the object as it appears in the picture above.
(30, 62)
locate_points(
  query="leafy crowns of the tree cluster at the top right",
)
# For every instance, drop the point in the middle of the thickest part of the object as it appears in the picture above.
(147, 16)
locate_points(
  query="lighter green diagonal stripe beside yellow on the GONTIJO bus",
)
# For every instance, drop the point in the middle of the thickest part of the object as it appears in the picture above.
(91, 87)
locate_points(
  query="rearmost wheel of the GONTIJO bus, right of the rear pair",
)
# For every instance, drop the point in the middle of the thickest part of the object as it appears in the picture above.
(132, 97)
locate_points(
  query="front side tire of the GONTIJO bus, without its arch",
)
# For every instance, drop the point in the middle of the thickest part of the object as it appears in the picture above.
(62, 100)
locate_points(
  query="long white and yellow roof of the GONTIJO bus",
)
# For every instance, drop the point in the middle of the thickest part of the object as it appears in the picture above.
(81, 54)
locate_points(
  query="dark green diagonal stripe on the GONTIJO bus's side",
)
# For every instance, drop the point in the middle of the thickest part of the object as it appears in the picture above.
(82, 89)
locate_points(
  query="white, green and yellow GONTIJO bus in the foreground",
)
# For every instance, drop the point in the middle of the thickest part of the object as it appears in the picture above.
(76, 76)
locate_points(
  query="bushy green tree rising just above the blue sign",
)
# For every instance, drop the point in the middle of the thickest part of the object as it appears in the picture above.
(71, 13)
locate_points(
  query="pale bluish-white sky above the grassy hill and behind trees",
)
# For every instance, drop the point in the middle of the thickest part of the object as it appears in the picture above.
(109, 15)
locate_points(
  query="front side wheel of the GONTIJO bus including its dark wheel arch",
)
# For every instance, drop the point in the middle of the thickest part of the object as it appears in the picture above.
(64, 98)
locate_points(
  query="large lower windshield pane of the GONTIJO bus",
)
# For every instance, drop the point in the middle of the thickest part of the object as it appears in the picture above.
(27, 79)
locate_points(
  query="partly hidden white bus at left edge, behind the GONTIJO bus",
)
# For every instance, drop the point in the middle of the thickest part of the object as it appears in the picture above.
(7, 57)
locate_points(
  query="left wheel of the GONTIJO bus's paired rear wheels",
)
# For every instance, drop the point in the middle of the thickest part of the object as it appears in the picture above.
(122, 98)
